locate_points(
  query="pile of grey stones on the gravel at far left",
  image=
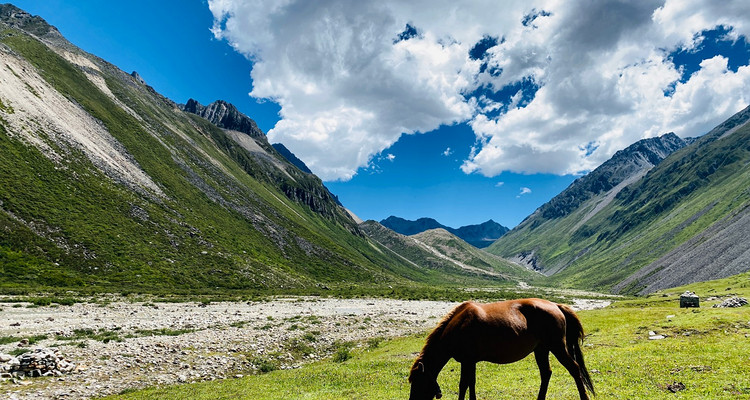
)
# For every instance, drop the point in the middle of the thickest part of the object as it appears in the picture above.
(39, 362)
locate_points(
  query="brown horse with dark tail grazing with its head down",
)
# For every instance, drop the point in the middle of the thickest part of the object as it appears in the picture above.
(501, 333)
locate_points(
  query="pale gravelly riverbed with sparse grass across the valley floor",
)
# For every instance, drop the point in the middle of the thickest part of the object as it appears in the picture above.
(113, 344)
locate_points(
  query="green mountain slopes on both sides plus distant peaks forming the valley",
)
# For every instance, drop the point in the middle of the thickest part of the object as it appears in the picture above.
(106, 185)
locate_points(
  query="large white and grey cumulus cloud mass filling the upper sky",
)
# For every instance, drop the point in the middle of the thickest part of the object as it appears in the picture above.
(547, 86)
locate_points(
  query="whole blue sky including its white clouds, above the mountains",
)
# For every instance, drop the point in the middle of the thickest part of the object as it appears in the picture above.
(459, 112)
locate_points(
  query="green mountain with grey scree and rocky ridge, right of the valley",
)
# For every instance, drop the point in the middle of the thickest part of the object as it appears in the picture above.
(642, 222)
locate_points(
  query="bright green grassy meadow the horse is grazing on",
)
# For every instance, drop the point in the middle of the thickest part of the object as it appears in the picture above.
(707, 350)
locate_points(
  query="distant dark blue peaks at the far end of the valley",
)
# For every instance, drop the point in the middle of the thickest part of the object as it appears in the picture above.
(480, 236)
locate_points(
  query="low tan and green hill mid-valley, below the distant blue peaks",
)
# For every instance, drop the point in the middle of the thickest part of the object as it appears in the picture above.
(440, 250)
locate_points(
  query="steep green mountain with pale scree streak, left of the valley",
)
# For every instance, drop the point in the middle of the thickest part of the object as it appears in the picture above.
(108, 185)
